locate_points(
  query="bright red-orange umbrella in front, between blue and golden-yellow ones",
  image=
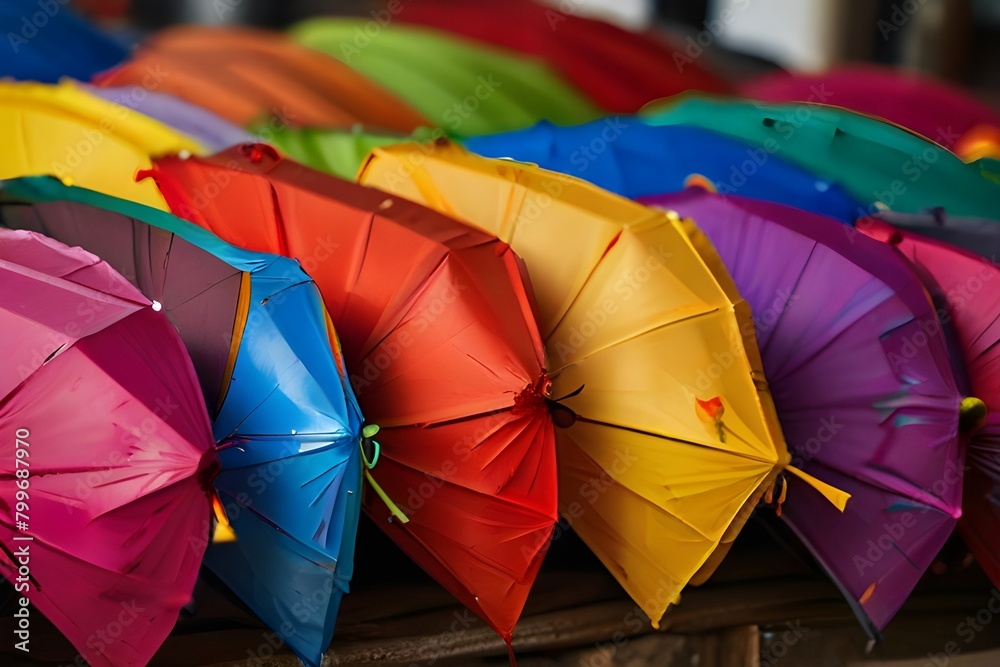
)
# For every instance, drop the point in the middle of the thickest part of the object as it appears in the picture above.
(437, 326)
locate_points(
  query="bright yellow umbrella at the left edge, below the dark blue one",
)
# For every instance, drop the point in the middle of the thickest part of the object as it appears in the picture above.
(62, 131)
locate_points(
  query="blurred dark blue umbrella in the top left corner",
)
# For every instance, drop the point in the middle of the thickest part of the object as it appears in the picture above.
(49, 41)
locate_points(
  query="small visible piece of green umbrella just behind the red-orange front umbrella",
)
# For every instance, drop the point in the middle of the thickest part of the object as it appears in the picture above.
(338, 151)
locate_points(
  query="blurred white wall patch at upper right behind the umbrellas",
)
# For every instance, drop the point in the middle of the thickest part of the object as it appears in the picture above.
(799, 34)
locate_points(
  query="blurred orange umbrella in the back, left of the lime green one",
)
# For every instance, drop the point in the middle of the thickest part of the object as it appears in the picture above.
(247, 75)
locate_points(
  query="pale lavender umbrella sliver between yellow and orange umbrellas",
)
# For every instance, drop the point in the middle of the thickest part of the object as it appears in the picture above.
(211, 131)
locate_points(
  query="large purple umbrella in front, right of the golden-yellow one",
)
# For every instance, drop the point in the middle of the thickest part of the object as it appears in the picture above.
(863, 386)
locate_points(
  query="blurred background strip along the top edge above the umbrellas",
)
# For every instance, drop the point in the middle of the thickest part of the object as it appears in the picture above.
(952, 39)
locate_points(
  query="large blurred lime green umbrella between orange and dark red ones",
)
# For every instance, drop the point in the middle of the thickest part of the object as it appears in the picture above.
(461, 86)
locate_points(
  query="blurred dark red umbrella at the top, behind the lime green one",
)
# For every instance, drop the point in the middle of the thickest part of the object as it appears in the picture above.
(619, 69)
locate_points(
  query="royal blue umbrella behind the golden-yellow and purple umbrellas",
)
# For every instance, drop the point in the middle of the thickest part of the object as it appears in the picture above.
(626, 156)
